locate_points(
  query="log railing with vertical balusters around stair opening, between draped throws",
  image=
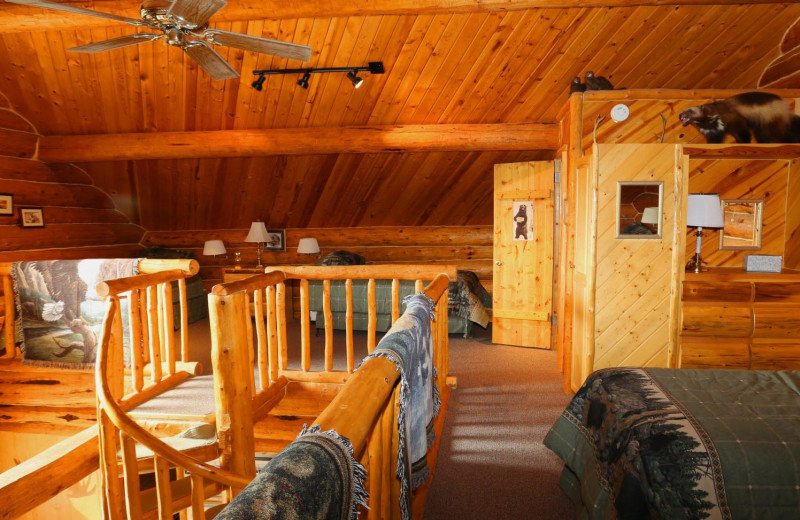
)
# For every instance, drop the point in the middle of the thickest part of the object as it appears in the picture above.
(366, 409)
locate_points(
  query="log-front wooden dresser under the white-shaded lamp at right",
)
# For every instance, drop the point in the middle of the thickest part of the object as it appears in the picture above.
(734, 319)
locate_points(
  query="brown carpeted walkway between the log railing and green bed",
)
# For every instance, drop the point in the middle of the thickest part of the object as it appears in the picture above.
(492, 463)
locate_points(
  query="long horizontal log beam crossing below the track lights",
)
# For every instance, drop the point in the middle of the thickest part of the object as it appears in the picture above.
(299, 141)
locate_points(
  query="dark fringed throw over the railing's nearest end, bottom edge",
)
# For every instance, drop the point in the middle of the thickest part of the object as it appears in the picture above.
(315, 477)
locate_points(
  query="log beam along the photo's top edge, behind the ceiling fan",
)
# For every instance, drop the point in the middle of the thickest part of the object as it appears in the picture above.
(17, 18)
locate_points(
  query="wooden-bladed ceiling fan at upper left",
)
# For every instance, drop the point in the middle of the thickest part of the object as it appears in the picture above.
(184, 24)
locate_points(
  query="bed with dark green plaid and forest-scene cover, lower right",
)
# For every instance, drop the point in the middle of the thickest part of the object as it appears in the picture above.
(680, 444)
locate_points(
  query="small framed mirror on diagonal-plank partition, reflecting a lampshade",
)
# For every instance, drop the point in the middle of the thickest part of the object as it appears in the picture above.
(640, 209)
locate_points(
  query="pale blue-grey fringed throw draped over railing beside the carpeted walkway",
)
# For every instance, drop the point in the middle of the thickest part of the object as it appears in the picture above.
(409, 344)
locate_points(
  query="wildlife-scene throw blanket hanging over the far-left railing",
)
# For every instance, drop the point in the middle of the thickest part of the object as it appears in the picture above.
(59, 312)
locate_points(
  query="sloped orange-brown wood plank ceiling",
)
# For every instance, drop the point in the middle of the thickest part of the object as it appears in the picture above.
(461, 67)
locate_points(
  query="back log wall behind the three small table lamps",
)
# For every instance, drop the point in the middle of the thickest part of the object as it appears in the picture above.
(468, 247)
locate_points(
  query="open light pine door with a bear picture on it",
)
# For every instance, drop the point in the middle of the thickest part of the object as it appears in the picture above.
(523, 254)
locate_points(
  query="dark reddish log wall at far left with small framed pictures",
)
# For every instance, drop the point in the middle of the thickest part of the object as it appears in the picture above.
(80, 219)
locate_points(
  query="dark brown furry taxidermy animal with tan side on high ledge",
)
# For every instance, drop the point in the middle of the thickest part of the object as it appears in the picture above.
(766, 115)
